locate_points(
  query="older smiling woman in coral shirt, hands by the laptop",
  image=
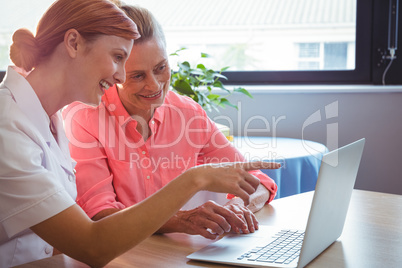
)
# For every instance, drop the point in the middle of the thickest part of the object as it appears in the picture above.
(143, 135)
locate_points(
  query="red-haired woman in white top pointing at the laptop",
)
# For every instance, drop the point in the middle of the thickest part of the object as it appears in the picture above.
(79, 50)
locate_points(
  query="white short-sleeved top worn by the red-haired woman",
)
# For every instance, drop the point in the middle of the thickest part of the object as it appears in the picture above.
(36, 172)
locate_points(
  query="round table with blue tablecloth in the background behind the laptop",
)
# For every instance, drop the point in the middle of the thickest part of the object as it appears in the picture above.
(300, 159)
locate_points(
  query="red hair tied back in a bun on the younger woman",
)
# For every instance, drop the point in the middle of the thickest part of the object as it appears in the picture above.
(89, 17)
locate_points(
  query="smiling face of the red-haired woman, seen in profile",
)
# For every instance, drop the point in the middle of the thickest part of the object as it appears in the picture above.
(103, 62)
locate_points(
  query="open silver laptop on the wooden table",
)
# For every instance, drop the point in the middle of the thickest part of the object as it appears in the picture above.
(277, 246)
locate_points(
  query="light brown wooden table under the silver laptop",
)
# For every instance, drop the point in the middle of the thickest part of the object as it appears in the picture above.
(372, 237)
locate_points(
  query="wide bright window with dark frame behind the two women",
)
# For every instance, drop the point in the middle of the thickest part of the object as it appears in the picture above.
(263, 41)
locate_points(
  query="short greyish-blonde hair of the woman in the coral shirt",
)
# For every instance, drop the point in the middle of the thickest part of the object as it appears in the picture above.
(147, 25)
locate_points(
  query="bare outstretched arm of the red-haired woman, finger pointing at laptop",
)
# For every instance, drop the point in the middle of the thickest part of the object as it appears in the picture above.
(96, 243)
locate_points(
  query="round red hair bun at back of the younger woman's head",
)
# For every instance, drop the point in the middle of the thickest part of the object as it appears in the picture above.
(24, 50)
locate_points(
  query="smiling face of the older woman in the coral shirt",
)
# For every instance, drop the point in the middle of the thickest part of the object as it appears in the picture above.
(147, 78)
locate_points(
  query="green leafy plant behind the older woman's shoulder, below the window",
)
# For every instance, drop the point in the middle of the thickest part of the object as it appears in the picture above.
(204, 86)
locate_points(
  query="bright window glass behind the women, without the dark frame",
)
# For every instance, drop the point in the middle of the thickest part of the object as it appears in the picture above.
(247, 35)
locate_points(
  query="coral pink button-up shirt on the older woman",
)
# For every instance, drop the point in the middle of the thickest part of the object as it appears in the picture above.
(116, 168)
